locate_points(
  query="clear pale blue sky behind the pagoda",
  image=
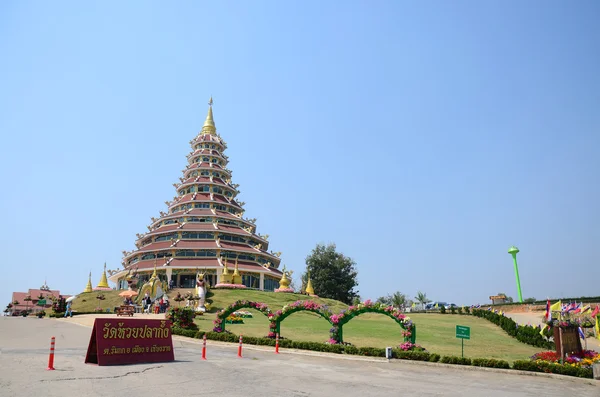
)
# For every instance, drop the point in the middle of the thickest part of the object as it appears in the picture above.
(423, 138)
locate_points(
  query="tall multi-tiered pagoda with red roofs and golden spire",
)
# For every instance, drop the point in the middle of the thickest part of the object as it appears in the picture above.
(204, 229)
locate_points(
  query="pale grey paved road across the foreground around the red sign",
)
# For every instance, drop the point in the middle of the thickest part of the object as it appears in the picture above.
(24, 344)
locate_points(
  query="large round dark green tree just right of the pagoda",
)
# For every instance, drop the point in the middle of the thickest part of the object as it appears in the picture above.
(332, 274)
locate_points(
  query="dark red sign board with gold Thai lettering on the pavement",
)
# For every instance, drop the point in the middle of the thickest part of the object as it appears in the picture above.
(116, 341)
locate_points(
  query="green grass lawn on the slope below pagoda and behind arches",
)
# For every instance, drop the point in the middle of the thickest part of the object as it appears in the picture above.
(435, 332)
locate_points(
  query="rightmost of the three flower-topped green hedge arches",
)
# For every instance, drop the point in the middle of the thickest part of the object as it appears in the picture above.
(409, 330)
